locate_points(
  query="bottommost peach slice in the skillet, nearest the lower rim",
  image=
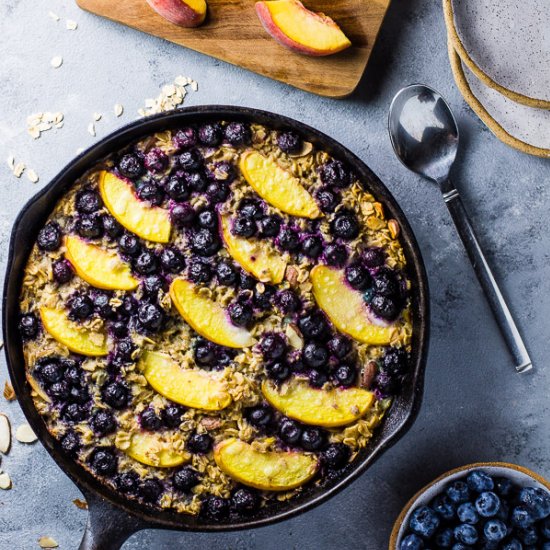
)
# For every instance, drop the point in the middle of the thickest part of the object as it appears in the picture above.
(271, 471)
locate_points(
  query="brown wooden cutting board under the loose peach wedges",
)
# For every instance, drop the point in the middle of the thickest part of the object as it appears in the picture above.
(233, 33)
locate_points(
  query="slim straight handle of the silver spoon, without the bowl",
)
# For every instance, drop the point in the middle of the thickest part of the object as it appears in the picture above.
(486, 278)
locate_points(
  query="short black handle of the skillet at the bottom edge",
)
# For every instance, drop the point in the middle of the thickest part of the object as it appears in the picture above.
(107, 527)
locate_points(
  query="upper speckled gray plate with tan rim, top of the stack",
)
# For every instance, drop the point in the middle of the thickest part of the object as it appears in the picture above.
(506, 44)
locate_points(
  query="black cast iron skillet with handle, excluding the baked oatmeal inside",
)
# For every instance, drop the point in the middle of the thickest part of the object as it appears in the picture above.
(112, 519)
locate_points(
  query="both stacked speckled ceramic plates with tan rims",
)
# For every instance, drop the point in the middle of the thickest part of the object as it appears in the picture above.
(500, 57)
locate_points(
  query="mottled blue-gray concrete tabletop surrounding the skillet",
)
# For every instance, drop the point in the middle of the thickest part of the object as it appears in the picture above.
(475, 407)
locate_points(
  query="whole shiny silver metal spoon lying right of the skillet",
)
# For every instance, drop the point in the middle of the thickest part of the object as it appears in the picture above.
(424, 135)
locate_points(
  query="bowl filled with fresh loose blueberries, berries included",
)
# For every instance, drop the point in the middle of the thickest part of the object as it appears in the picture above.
(489, 505)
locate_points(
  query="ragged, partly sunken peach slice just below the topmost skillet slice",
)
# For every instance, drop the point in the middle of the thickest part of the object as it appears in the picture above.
(253, 256)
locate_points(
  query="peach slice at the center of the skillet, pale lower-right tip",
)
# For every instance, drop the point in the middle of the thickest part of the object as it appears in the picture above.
(207, 317)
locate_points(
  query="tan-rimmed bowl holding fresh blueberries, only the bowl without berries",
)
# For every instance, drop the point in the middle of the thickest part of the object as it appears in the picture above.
(518, 474)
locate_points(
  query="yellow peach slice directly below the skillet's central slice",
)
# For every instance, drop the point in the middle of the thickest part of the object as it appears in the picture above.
(197, 389)
